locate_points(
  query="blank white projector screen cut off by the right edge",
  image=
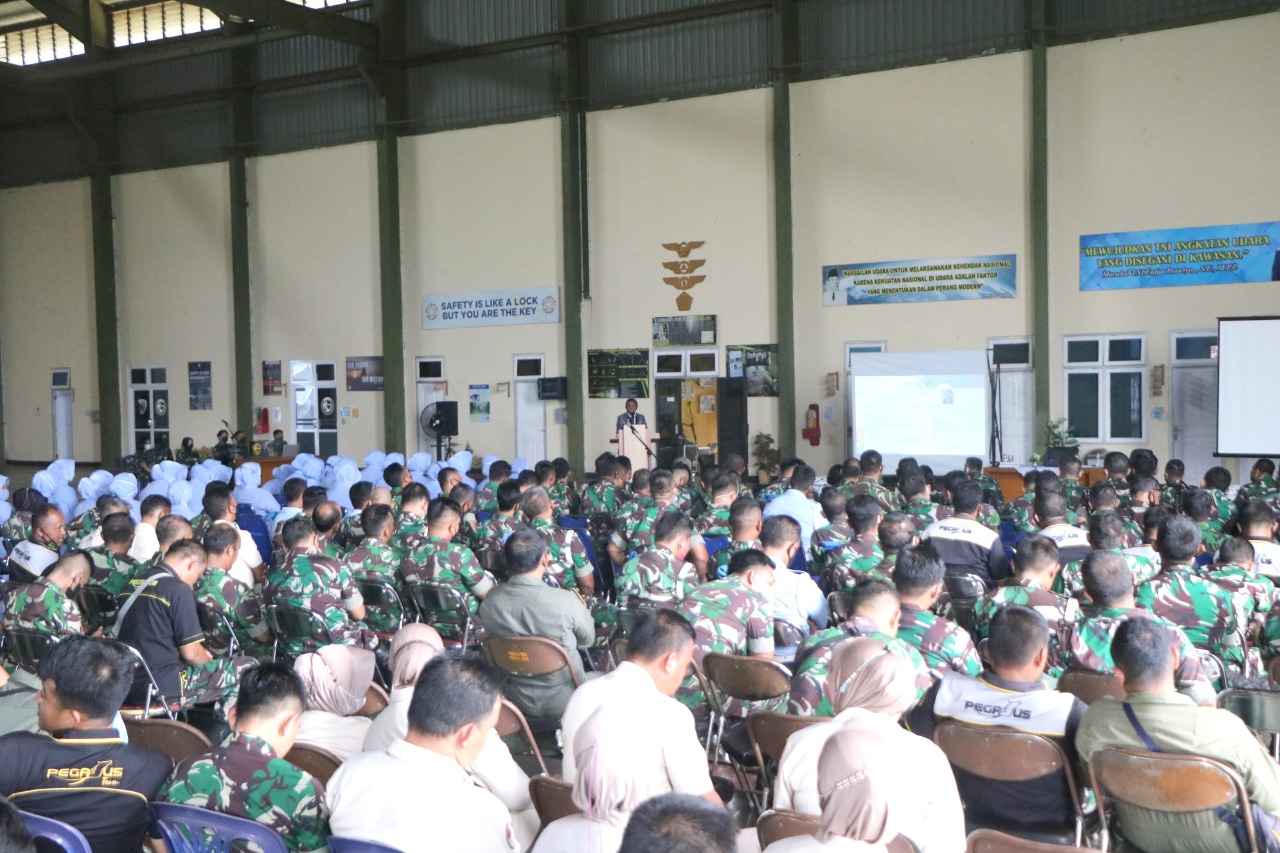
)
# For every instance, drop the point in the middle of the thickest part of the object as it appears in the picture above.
(1249, 410)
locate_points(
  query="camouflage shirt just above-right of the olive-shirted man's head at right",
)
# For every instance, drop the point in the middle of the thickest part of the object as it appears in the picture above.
(1197, 605)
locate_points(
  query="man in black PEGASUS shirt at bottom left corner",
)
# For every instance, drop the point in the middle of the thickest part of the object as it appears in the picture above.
(84, 774)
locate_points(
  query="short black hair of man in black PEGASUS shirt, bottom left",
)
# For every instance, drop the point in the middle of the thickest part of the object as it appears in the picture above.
(92, 676)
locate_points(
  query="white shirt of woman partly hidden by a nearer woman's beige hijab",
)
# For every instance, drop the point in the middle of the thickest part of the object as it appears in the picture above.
(924, 779)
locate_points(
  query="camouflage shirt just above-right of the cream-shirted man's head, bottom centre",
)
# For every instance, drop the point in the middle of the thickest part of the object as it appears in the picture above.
(730, 619)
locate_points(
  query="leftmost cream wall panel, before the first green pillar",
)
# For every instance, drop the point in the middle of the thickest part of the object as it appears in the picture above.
(47, 316)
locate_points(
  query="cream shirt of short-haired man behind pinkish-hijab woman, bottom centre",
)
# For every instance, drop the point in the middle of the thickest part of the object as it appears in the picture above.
(634, 709)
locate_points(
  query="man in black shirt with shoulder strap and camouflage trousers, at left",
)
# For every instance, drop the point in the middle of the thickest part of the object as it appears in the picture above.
(162, 623)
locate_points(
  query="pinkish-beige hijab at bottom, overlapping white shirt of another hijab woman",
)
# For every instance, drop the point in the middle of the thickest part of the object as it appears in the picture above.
(856, 791)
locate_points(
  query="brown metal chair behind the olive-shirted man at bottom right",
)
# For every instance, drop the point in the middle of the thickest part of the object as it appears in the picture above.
(1163, 782)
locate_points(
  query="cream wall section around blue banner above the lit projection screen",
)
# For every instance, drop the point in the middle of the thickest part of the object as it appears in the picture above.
(916, 163)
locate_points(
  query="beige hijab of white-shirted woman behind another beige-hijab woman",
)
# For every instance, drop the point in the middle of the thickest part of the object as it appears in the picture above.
(866, 674)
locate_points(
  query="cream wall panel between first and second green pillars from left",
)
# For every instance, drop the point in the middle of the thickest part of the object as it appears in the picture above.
(175, 289)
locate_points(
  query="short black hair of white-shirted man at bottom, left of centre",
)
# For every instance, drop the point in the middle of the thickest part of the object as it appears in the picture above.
(452, 694)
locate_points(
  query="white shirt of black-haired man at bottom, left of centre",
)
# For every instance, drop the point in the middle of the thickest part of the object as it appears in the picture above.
(417, 801)
